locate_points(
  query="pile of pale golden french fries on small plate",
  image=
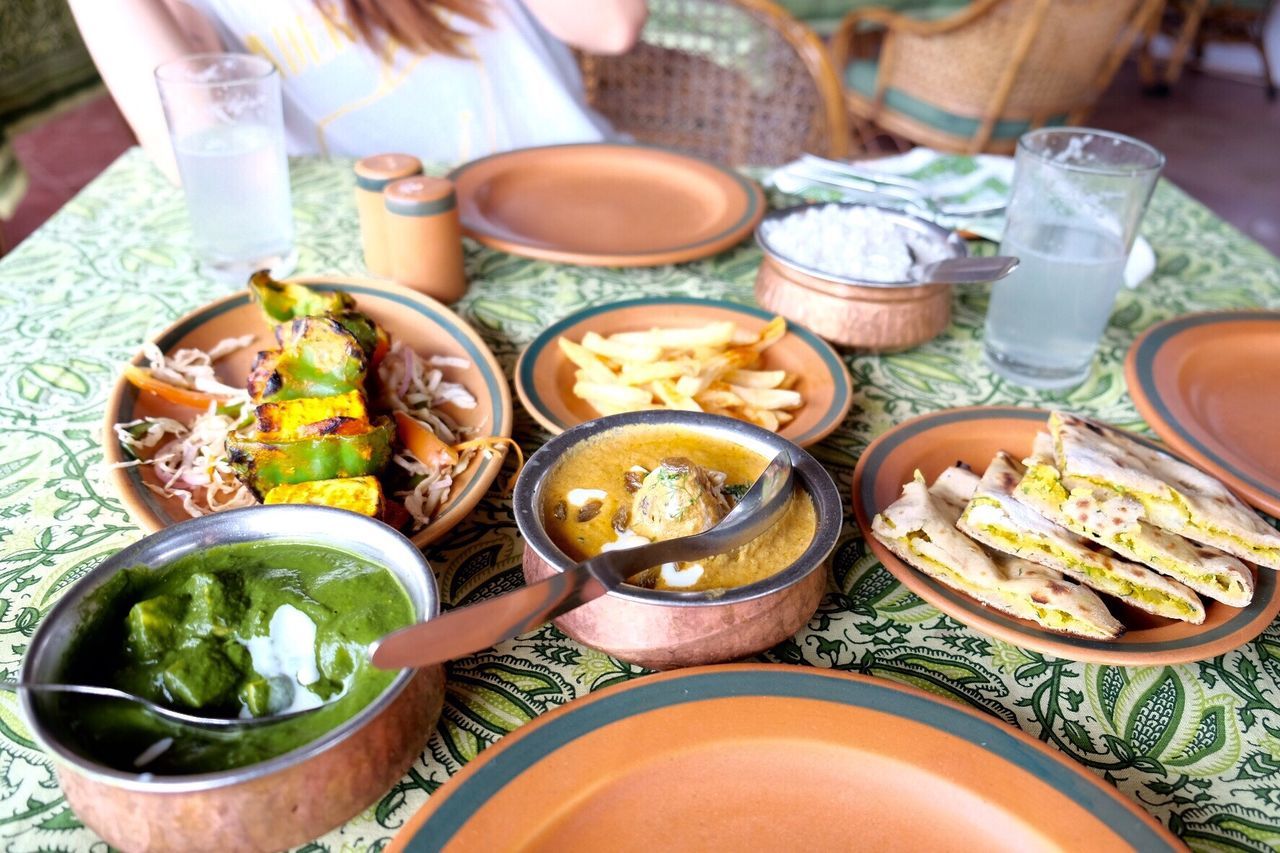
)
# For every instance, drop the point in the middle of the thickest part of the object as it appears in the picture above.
(716, 368)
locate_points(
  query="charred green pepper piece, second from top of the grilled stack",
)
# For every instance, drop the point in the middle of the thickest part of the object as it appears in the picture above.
(318, 358)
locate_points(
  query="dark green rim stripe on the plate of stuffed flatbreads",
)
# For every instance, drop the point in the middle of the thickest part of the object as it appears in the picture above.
(1264, 592)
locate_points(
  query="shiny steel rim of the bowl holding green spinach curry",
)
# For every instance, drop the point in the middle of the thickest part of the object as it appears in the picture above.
(365, 537)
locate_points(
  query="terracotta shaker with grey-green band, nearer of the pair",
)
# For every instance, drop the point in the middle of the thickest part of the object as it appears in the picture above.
(424, 236)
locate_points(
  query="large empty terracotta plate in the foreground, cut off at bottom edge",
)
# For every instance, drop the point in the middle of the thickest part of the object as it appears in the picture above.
(752, 758)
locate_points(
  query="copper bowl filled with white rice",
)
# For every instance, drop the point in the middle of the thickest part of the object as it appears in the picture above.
(883, 317)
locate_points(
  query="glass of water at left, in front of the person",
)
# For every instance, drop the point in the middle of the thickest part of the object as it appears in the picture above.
(228, 136)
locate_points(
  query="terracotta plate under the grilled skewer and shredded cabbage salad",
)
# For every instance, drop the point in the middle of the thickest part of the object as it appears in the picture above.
(417, 320)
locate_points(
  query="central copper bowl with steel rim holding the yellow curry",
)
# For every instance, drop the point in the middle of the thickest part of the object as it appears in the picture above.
(666, 628)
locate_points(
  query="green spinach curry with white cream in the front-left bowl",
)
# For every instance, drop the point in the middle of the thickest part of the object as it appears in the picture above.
(232, 631)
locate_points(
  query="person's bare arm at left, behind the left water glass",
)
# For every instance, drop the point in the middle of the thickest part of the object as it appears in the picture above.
(127, 40)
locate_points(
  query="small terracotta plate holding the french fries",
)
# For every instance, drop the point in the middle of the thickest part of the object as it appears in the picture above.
(545, 377)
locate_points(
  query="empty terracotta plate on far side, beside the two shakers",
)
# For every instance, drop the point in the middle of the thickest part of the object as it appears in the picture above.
(606, 206)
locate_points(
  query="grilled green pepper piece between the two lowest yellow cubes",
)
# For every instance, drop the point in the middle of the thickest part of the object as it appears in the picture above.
(263, 466)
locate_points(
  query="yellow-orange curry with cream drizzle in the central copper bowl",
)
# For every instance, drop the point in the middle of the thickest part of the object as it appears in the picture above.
(639, 485)
